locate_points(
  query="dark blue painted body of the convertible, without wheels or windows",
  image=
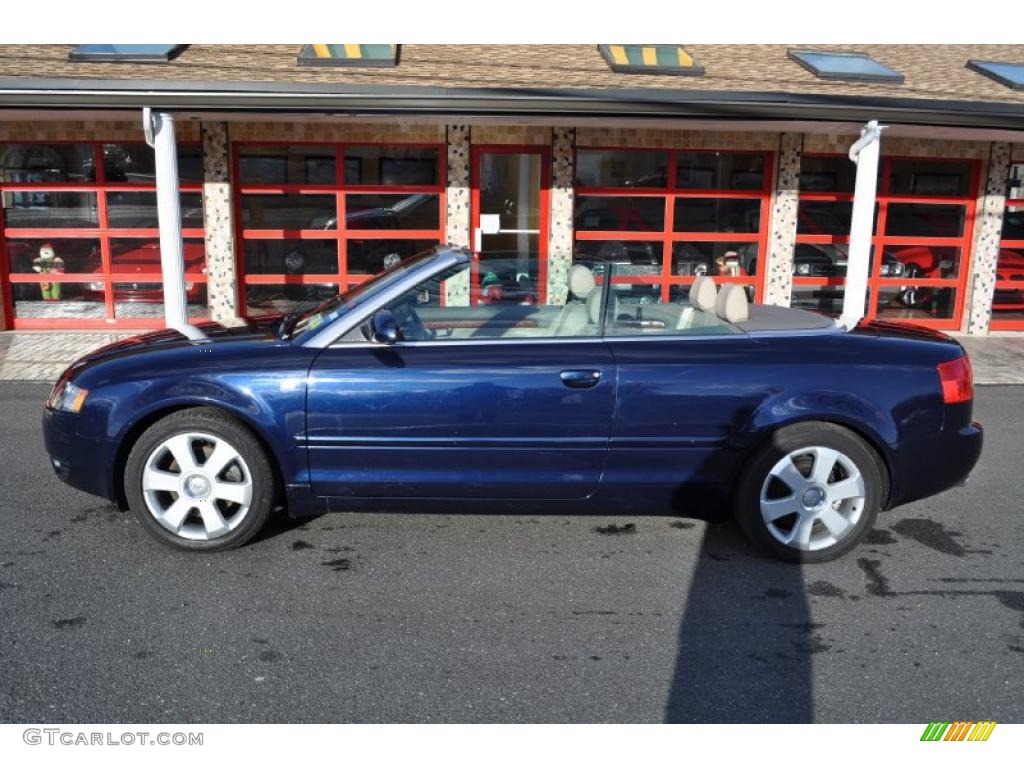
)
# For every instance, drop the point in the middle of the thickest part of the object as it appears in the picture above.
(666, 425)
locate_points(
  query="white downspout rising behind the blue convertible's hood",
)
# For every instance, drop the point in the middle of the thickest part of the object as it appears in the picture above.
(159, 131)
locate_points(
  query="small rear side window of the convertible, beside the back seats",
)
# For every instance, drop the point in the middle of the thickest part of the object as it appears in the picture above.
(636, 309)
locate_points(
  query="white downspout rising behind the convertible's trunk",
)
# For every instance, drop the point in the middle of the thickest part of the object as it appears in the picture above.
(865, 154)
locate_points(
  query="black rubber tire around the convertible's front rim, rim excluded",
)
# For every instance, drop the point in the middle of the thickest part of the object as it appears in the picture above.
(215, 422)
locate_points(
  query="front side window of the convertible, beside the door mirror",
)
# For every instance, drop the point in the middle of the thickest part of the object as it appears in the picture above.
(497, 301)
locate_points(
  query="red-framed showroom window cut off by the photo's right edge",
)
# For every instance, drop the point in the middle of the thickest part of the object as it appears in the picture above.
(1008, 303)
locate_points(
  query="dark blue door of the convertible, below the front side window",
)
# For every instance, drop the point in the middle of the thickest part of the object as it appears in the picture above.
(485, 421)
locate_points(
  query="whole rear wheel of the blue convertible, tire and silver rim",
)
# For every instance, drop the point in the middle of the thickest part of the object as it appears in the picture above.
(810, 494)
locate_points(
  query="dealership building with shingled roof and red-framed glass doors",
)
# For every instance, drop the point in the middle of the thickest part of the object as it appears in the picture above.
(306, 169)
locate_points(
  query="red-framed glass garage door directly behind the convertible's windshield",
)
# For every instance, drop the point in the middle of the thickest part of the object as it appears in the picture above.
(316, 220)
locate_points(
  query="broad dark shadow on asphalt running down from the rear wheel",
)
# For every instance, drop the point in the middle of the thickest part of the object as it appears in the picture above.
(746, 641)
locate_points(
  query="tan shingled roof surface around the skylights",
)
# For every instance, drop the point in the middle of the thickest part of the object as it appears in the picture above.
(741, 79)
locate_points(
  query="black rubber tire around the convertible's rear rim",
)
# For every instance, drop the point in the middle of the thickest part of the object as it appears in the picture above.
(756, 478)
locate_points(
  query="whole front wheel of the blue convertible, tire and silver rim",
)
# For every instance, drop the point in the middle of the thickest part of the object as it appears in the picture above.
(198, 480)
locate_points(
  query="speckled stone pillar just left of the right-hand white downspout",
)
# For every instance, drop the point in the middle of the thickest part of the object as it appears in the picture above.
(783, 236)
